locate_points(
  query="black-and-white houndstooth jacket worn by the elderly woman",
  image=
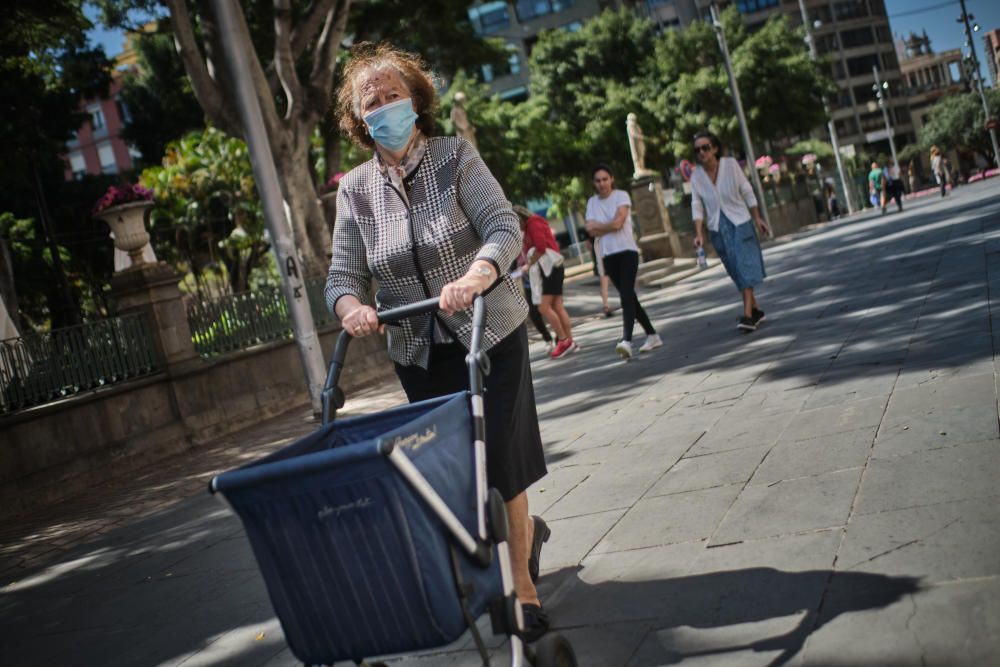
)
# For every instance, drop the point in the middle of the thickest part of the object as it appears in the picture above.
(457, 213)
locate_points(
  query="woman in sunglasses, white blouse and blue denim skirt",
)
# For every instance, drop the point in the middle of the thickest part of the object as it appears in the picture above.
(722, 197)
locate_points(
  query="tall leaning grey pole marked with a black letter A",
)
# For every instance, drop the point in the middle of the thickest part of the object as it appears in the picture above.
(266, 176)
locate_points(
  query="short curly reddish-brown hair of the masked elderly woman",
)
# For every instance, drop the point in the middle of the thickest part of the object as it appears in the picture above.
(366, 57)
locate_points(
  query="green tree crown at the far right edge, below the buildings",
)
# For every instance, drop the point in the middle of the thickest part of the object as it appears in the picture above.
(958, 121)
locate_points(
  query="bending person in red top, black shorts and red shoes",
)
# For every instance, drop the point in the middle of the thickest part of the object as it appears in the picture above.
(541, 251)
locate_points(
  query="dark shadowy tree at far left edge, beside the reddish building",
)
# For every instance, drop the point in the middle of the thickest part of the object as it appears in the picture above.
(46, 67)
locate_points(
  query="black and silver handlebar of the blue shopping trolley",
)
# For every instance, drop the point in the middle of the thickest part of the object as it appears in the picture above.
(332, 397)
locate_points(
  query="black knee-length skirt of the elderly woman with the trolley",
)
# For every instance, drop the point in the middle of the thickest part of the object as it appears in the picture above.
(514, 456)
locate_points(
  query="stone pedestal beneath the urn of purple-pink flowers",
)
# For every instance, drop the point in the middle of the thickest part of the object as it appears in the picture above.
(151, 288)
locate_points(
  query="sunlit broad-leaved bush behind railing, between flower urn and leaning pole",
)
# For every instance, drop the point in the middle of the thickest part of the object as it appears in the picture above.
(208, 217)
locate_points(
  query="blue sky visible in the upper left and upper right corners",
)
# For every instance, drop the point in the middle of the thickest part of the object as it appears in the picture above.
(937, 17)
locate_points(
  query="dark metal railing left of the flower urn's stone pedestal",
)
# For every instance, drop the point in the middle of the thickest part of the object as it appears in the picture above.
(40, 368)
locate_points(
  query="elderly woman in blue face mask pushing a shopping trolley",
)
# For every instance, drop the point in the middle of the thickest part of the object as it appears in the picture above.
(425, 218)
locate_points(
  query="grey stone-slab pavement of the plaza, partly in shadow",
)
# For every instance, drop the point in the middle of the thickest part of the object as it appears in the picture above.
(821, 492)
